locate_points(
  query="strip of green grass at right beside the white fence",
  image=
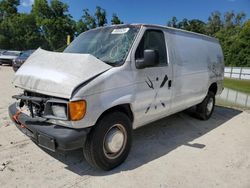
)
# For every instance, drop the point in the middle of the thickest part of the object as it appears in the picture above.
(239, 85)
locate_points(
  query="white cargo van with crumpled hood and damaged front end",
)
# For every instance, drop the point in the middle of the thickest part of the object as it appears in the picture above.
(112, 80)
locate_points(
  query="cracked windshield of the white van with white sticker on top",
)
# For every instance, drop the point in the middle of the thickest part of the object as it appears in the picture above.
(109, 44)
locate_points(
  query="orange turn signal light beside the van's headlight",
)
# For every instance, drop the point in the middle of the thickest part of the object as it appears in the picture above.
(77, 110)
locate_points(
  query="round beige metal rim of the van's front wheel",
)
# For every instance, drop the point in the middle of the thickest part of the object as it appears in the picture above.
(115, 141)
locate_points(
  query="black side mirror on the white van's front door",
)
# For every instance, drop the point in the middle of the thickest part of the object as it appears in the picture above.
(151, 59)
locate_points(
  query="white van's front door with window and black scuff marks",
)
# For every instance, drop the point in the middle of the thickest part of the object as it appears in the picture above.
(153, 93)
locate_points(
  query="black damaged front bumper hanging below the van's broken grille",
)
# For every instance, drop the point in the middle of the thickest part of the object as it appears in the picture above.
(47, 135)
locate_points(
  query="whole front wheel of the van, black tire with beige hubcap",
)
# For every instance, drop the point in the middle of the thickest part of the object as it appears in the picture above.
(109, 142)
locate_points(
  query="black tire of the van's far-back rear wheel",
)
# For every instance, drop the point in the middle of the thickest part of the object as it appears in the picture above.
(202, 109)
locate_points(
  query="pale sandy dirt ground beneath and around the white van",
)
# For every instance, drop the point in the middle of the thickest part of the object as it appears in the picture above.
(178, 151)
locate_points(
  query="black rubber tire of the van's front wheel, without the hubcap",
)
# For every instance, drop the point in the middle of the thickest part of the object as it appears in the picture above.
(94, 149)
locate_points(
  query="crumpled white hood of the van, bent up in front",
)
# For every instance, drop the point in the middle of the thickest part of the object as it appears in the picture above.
(57, 74)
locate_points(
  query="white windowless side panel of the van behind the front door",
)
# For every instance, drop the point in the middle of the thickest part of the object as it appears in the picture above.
(195, 60)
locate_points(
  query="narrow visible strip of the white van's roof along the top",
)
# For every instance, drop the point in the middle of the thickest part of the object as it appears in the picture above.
(170, 28)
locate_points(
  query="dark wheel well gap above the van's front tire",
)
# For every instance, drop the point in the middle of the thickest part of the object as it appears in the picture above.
(125, 108)
